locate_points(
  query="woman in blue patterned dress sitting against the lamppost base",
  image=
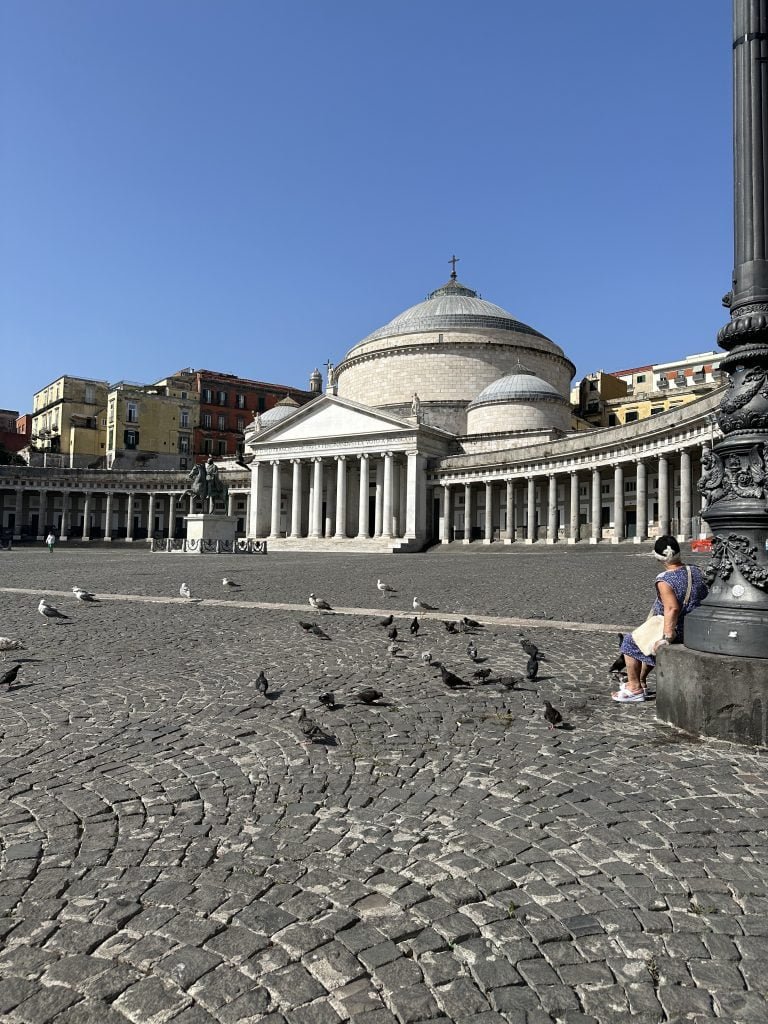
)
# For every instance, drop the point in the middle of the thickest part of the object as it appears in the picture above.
(673, 586)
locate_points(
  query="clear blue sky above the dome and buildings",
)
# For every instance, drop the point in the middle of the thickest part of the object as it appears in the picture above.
(254, 187)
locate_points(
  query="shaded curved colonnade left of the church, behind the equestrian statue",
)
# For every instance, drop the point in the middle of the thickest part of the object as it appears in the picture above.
(104, 515)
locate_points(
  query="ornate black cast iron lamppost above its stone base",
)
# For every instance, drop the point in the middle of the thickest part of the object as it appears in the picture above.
(734, 620)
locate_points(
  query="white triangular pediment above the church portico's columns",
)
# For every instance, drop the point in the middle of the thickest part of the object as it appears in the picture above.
(332, 417)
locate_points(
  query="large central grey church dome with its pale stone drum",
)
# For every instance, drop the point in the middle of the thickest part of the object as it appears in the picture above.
(447, 350)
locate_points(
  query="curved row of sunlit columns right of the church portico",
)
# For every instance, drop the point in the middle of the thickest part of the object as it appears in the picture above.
(629, 500)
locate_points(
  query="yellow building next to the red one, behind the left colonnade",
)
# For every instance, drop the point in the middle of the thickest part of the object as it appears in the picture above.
(152, 425)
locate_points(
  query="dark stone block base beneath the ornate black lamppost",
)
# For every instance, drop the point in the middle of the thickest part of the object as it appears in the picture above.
(719, 696)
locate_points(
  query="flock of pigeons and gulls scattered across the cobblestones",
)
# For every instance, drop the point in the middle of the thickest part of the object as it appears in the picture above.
(311, 731)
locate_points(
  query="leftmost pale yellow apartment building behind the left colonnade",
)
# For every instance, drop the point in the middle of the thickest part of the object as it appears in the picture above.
(69, 421)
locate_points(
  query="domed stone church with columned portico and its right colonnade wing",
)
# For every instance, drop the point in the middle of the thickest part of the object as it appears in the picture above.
(452, 424)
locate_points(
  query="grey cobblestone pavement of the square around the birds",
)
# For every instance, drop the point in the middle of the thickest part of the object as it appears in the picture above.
(172, 851)
